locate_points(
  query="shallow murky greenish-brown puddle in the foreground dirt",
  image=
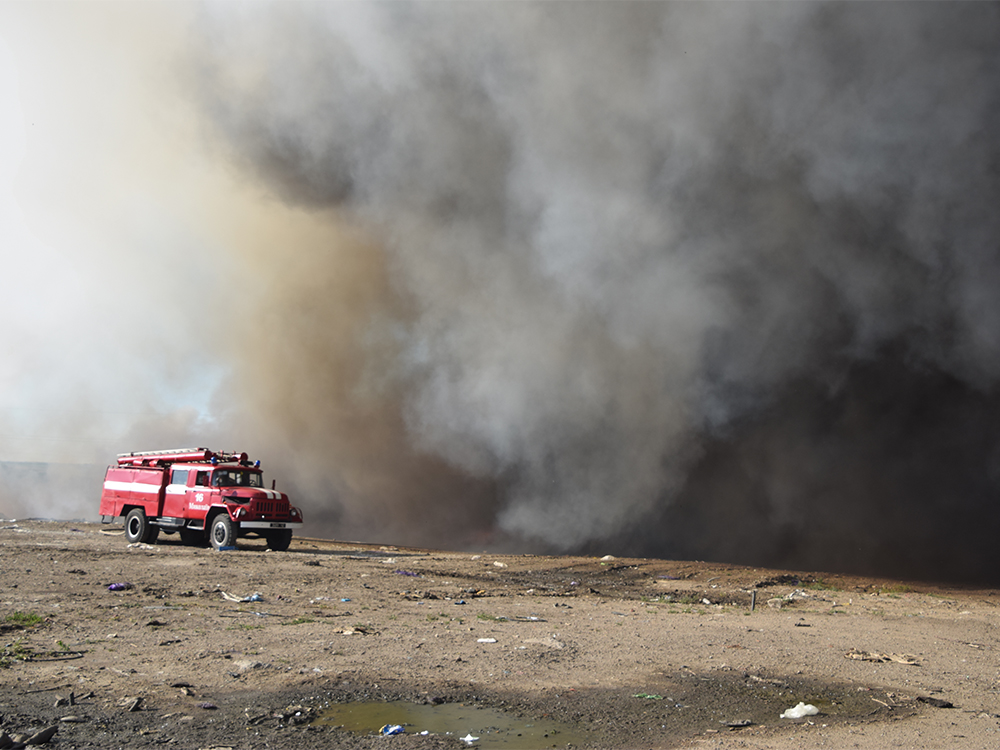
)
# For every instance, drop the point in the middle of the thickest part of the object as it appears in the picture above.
(494, 729)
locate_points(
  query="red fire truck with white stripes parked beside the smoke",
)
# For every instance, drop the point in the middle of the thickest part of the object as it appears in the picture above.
(201, 494)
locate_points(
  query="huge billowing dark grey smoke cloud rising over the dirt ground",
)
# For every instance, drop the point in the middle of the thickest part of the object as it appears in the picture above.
(671, 279)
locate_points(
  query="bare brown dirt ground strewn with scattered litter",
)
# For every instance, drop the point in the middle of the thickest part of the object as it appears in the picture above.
(625, 653)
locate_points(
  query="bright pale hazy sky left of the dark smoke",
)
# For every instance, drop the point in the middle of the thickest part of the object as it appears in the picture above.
(121, 231)
